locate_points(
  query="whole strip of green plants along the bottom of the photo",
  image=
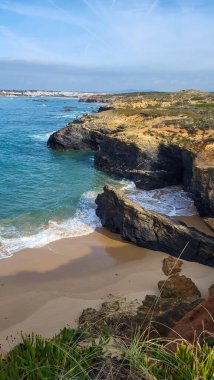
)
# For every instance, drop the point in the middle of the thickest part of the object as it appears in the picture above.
(73, 354)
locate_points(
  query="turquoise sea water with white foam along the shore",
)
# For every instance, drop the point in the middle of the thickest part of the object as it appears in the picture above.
(46, 195)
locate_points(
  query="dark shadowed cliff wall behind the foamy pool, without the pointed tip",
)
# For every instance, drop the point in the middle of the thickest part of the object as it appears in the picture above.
(150, 168)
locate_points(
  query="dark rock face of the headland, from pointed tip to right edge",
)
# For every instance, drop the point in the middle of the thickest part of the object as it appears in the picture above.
(150, 163)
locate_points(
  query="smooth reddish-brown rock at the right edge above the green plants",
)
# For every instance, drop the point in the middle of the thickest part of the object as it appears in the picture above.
(197, 325)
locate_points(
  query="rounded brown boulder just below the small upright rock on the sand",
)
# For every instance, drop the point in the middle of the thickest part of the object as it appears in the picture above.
(178, 286)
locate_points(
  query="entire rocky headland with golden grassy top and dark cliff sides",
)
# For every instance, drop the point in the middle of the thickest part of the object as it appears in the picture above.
(154, 140)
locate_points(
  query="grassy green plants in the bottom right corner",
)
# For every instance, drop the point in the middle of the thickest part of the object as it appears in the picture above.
(156, 361)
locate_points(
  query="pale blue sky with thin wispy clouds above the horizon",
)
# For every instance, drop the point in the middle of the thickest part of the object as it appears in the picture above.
(107, 45)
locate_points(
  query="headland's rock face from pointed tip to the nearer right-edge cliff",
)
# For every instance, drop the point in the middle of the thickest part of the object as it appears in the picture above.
(150, 165)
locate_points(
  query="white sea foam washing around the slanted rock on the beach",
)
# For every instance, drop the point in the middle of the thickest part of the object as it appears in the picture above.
(171, 201)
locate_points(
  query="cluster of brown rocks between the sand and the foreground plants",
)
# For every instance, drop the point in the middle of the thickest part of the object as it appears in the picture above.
(123, 318)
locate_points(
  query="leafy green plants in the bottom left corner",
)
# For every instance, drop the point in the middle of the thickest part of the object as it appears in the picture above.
(63, 357)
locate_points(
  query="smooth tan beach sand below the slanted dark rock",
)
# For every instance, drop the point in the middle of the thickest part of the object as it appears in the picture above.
(45, 289)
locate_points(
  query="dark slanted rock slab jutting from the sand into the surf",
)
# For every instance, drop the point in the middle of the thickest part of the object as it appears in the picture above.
(152, 230)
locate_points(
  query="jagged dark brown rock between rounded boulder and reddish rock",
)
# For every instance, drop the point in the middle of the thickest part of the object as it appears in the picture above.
(161, 314)
